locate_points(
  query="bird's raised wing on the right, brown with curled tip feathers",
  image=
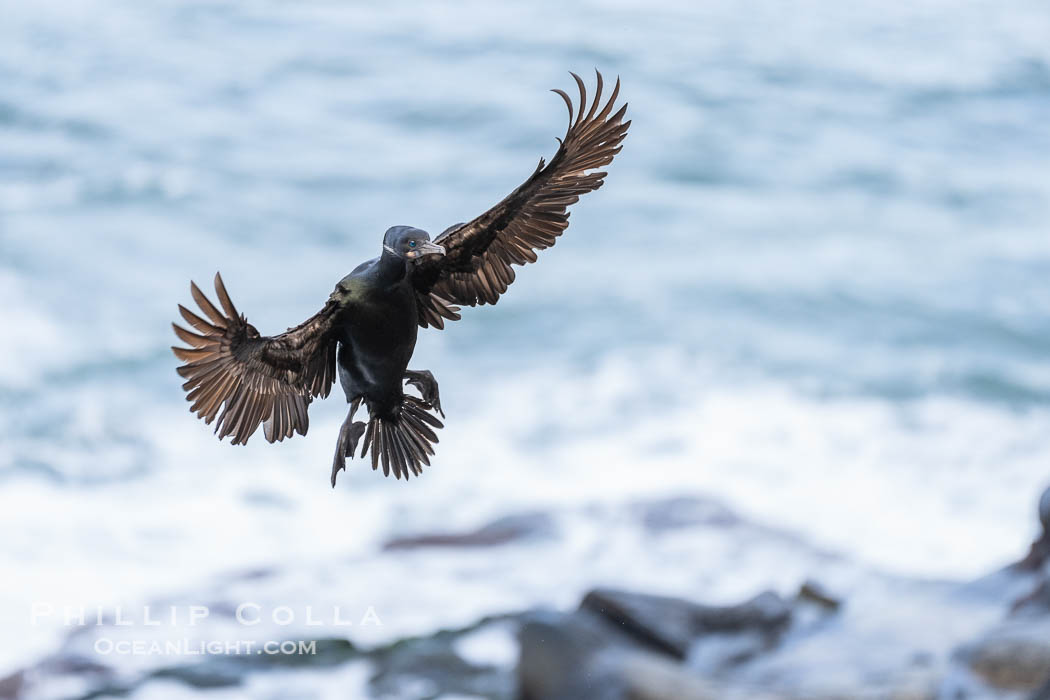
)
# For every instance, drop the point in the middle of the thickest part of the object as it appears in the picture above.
(476, 268)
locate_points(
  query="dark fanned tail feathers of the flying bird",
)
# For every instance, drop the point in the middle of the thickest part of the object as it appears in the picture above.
(404, 444)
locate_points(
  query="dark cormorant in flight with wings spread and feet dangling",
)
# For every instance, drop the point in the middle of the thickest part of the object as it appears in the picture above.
(367, 331)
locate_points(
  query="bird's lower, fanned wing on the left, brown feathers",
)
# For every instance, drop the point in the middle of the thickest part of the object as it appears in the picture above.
(246, 379)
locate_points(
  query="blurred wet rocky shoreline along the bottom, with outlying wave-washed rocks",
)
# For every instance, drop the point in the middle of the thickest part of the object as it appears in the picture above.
(897, 640)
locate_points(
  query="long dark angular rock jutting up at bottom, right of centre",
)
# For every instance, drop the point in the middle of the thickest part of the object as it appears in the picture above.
(673, 625)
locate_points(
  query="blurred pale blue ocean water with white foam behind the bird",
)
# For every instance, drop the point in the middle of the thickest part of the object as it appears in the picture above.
(815, 288)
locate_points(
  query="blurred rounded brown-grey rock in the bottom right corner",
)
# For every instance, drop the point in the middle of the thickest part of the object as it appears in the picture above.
(1015, 656)
